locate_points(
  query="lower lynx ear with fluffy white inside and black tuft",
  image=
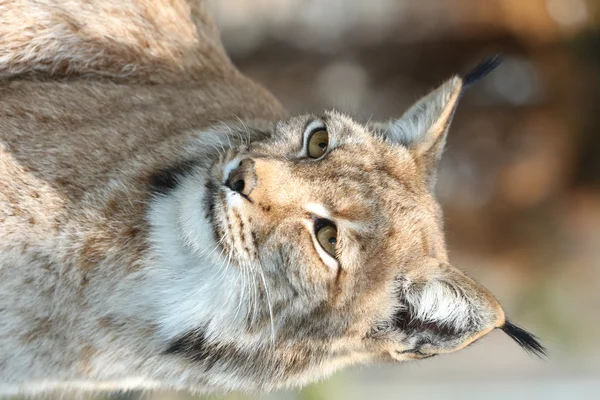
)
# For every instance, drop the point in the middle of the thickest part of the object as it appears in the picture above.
(442, 310)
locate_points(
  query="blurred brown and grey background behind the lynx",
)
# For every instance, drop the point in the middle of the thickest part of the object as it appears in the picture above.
(520, 181)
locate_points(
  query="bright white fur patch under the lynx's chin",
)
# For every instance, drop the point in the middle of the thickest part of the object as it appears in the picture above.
(194, 283)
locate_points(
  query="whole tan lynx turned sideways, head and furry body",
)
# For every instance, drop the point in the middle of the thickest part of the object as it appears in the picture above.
(165, 224)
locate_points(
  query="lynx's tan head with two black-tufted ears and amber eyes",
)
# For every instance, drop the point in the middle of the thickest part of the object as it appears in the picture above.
(331, 242)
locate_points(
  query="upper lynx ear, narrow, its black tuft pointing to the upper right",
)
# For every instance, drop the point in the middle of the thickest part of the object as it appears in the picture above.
(424, 126)
